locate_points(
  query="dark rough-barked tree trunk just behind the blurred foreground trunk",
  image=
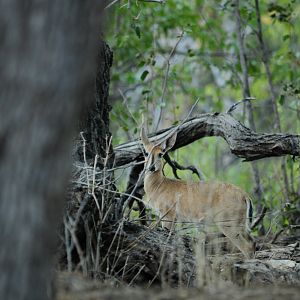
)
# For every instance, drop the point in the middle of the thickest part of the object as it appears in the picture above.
(90, 208)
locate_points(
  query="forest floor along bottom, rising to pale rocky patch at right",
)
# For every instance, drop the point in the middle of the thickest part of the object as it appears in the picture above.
(273, 274)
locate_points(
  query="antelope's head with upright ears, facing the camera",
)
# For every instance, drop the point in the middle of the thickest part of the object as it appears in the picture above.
(155, 152)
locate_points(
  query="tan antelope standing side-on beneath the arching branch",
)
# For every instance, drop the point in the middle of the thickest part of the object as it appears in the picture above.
(223, 204)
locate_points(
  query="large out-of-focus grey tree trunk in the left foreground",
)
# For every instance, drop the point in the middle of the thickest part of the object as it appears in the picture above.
(47, 61)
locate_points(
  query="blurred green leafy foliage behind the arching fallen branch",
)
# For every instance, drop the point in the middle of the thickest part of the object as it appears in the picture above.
(205, 65)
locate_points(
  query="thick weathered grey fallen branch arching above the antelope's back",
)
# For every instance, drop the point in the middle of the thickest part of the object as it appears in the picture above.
(242, 141)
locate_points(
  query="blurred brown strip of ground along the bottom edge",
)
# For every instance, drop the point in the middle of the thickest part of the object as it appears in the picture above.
(75, 287)
